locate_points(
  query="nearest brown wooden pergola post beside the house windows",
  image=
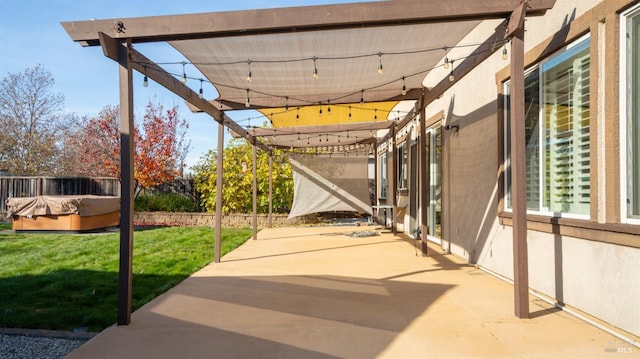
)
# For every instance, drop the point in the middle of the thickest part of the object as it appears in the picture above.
(515, 30)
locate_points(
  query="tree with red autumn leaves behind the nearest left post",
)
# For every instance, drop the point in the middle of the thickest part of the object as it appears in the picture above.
(159, 146)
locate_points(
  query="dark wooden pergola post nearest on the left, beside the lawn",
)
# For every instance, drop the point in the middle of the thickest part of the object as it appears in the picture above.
(125, 72)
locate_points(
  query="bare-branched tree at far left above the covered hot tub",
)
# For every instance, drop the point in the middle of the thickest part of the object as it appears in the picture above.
(32, 120)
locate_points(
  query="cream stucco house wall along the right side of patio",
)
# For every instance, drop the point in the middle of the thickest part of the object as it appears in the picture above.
(598, 278)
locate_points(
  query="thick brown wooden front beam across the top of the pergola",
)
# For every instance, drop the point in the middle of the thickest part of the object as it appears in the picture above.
(294, 19)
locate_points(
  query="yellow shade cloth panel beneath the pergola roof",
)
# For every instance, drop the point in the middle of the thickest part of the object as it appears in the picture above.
(319, 115)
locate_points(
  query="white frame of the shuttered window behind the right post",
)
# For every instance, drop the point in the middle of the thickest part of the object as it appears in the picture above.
(542, 210)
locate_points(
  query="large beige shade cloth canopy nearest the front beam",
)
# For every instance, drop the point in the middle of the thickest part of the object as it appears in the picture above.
(347, 62)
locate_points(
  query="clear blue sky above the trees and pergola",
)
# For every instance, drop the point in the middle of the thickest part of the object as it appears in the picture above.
(31, 34)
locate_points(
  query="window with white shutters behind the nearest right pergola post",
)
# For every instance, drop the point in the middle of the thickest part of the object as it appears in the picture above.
(557, 122)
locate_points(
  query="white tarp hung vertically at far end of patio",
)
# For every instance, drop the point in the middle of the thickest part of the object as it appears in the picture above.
(324, 183)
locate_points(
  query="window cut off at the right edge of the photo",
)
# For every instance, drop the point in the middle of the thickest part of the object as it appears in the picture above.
(630, 95)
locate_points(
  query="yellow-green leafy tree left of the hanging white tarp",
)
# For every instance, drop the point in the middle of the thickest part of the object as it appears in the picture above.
(237, 191)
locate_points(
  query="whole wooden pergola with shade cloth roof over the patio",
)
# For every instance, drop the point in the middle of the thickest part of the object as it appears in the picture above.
(356, 61)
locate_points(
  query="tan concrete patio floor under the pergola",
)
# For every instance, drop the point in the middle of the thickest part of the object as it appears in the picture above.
(315, 292)
